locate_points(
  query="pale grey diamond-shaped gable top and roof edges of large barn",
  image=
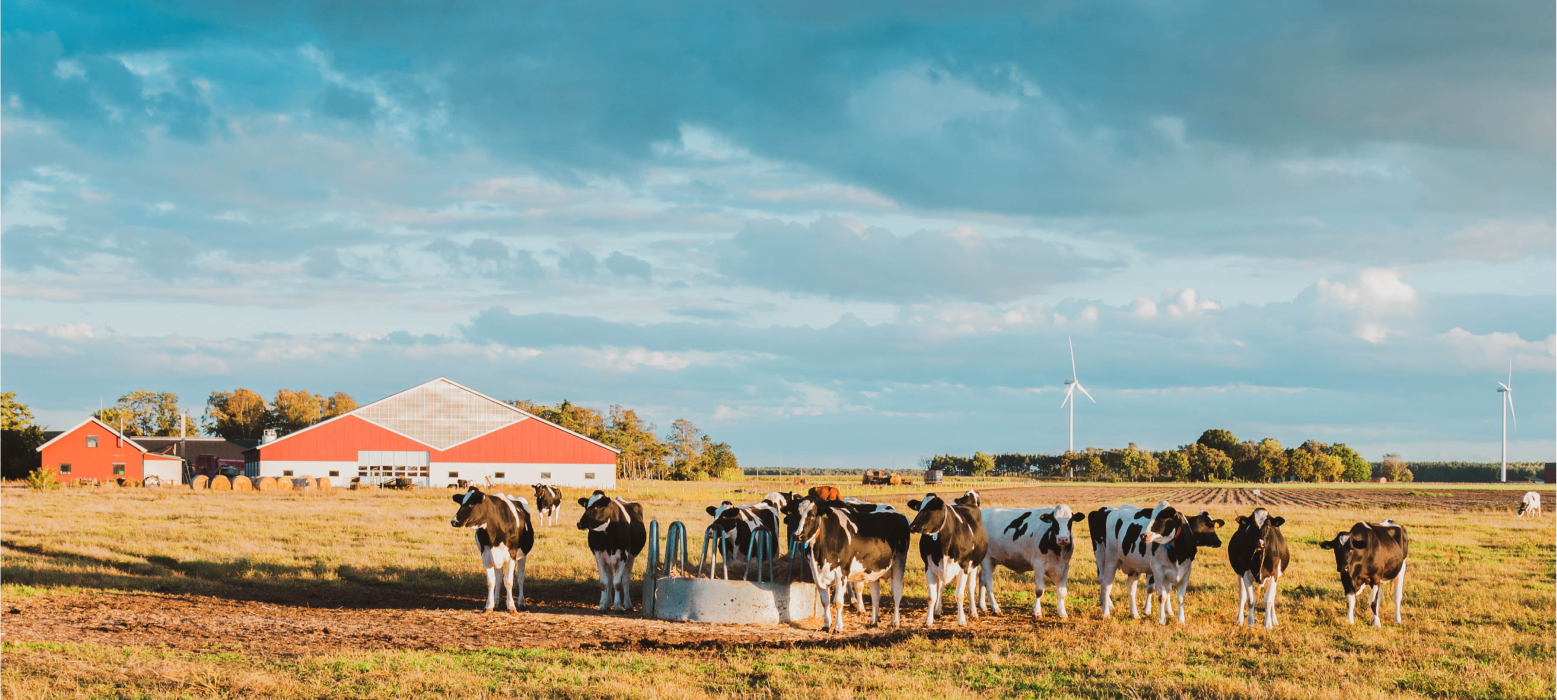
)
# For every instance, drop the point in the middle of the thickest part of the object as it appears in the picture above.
(440, 415)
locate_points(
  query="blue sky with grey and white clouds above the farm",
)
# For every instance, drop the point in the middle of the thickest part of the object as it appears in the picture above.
(829, 234)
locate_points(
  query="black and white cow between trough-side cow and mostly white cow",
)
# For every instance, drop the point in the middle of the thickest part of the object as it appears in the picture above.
(954, 547)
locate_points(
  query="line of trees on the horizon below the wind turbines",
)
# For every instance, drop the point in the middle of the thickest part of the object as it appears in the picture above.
(1217, 457)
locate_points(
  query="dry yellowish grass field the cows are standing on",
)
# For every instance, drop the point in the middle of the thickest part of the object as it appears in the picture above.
(172, 593)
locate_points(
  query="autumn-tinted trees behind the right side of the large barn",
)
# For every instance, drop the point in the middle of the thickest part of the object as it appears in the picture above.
(686, 453)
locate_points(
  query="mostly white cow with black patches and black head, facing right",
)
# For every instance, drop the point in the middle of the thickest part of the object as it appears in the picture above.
(1038, 541)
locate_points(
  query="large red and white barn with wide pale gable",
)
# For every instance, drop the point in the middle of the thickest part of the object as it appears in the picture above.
(438, 435)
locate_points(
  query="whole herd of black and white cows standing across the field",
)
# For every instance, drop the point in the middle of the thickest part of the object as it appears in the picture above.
(848, 544)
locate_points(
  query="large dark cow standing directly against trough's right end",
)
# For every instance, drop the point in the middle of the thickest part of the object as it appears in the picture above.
(852, 547)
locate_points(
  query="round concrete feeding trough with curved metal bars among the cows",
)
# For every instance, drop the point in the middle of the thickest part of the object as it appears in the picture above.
(672, 595)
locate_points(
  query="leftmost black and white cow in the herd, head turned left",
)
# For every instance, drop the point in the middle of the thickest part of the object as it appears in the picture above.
(504, 536)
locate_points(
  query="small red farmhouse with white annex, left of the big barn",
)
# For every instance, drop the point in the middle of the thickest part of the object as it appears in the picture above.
(93, 450)
